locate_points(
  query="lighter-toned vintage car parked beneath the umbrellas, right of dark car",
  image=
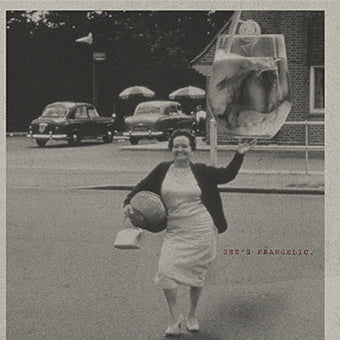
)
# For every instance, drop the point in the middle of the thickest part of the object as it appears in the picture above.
(156, 119)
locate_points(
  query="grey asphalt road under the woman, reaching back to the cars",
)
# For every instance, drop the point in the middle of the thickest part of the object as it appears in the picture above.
(66, 281)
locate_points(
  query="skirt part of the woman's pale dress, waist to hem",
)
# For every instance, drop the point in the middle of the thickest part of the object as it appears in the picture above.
(188, 249)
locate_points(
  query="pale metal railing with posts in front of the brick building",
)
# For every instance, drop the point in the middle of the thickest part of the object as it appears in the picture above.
(214, 145)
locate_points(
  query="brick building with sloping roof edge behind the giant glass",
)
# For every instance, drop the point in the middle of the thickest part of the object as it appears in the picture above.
(304, 39)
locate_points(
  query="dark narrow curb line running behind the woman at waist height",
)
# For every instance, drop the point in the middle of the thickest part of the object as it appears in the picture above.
(247, 190)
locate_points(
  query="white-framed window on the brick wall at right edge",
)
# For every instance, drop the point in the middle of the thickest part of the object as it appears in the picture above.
(317, 89)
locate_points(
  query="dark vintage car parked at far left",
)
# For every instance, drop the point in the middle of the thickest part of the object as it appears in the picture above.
(71, 121)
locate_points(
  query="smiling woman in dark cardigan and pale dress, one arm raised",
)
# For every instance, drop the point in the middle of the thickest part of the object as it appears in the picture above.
(189, 191)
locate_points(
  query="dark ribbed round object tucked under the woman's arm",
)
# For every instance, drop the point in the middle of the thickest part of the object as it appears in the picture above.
(149, 211)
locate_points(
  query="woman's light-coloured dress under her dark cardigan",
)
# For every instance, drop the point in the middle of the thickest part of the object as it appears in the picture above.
(189, 244)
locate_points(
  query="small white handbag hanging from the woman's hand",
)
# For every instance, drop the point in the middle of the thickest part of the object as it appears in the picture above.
(129, 237)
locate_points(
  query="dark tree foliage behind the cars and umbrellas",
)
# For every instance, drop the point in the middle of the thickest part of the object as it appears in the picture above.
(151, 48)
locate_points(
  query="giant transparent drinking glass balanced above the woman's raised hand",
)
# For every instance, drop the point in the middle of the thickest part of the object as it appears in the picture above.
(249, 92)
